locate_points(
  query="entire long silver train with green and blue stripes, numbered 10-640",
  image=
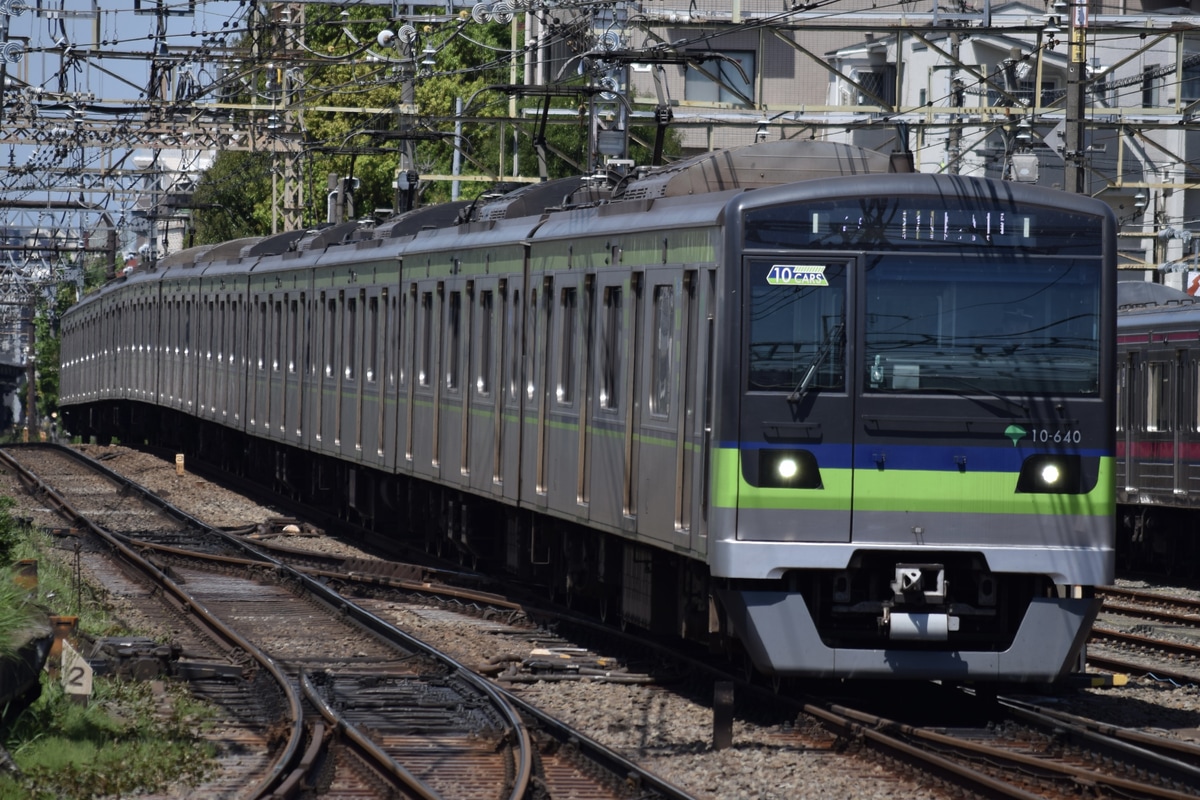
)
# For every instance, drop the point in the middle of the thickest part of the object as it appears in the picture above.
(784, 400)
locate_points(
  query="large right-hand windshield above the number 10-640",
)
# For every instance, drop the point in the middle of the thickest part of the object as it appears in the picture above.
(1011, 326)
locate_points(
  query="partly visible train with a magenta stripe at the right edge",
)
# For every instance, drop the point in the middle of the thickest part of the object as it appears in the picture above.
(1159, 429)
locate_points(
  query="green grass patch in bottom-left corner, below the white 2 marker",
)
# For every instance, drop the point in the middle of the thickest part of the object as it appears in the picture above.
(125, 742)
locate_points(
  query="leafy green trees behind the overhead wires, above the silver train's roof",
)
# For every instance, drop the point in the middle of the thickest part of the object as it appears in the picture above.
(358, 123)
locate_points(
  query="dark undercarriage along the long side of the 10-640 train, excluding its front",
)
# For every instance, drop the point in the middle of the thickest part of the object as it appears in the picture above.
(578, 567)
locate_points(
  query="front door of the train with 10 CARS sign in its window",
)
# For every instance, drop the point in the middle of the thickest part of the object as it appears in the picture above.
(799, 453)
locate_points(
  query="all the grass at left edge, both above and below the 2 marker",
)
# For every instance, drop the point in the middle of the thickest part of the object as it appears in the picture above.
(129, 739)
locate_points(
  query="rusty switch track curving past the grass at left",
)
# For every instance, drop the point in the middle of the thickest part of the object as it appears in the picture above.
(422, 708)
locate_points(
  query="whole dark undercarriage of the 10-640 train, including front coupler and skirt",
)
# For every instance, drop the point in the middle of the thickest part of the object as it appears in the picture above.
(838, 618)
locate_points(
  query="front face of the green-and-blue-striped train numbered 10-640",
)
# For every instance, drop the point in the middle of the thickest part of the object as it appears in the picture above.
(914, 472)
